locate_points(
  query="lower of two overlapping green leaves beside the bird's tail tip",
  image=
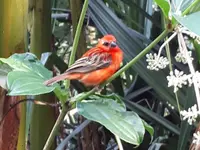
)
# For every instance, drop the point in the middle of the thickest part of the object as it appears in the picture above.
(26, 83)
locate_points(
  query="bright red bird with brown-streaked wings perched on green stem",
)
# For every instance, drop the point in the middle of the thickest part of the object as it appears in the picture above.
(96, 65)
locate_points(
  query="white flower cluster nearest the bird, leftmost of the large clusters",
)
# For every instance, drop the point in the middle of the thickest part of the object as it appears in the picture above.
(156, 62)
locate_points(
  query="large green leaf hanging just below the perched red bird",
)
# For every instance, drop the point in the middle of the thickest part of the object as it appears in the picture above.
(127, 125)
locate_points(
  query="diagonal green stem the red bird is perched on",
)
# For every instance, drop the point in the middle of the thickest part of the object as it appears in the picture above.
(127, 66)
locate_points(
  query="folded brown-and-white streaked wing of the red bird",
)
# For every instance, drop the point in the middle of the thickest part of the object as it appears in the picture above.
(92, 62)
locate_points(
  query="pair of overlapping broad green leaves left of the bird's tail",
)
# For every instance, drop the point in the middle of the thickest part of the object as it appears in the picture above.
(27, 76)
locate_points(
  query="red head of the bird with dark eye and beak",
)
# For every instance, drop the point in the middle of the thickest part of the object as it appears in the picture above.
(108, 42)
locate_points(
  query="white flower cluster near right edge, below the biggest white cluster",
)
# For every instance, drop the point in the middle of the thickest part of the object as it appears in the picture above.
(191, 115)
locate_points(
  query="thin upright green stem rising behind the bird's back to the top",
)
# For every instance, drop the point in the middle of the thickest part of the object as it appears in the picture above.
(77, 36)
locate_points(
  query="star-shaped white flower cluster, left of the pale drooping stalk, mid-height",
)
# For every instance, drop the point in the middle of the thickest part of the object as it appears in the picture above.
(177, 79)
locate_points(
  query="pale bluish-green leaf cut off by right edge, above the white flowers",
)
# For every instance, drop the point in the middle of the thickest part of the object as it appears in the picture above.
(191, 22)
